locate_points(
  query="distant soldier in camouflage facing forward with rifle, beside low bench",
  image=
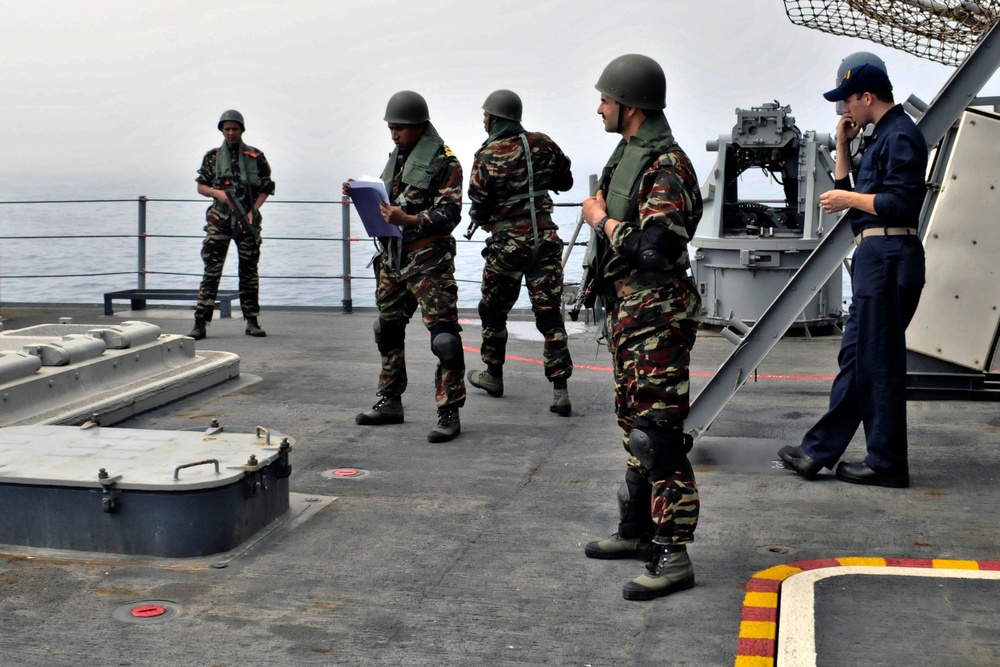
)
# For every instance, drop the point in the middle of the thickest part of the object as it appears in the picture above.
(244, 171)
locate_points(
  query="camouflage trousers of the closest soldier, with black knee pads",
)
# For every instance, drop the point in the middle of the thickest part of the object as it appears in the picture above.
(651, 336)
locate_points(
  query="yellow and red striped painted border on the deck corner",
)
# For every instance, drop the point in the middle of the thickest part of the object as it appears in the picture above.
(758, 641)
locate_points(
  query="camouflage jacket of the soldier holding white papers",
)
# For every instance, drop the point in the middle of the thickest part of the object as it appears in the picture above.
(439, 207)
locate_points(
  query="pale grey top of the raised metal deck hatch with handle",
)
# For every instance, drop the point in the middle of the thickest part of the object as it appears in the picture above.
(147, 460)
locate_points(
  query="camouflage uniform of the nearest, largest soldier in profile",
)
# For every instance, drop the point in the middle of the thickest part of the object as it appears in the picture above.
(652, 321)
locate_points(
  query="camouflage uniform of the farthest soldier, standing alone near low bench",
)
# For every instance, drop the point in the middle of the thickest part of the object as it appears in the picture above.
(223, 225)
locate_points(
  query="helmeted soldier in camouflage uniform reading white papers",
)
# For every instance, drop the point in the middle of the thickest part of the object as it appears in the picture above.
(424, 182)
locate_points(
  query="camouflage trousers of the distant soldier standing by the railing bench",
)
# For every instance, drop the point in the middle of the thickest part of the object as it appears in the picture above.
(220, 232)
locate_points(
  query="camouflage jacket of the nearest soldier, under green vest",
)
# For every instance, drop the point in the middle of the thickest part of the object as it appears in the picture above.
(668, 207)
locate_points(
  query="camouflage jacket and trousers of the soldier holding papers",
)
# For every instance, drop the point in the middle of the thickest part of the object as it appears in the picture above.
(419, 269)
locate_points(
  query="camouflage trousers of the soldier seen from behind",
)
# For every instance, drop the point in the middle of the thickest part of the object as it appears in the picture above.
(509, 258)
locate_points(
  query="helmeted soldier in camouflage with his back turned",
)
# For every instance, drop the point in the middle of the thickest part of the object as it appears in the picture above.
(510, 200)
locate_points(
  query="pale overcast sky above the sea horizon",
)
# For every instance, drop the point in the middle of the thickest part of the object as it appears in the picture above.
(121, 97)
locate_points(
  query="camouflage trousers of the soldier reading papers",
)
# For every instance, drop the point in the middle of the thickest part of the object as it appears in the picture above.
(397, 296)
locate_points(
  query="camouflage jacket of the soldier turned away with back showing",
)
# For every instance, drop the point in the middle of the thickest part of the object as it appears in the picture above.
(498, 183)
